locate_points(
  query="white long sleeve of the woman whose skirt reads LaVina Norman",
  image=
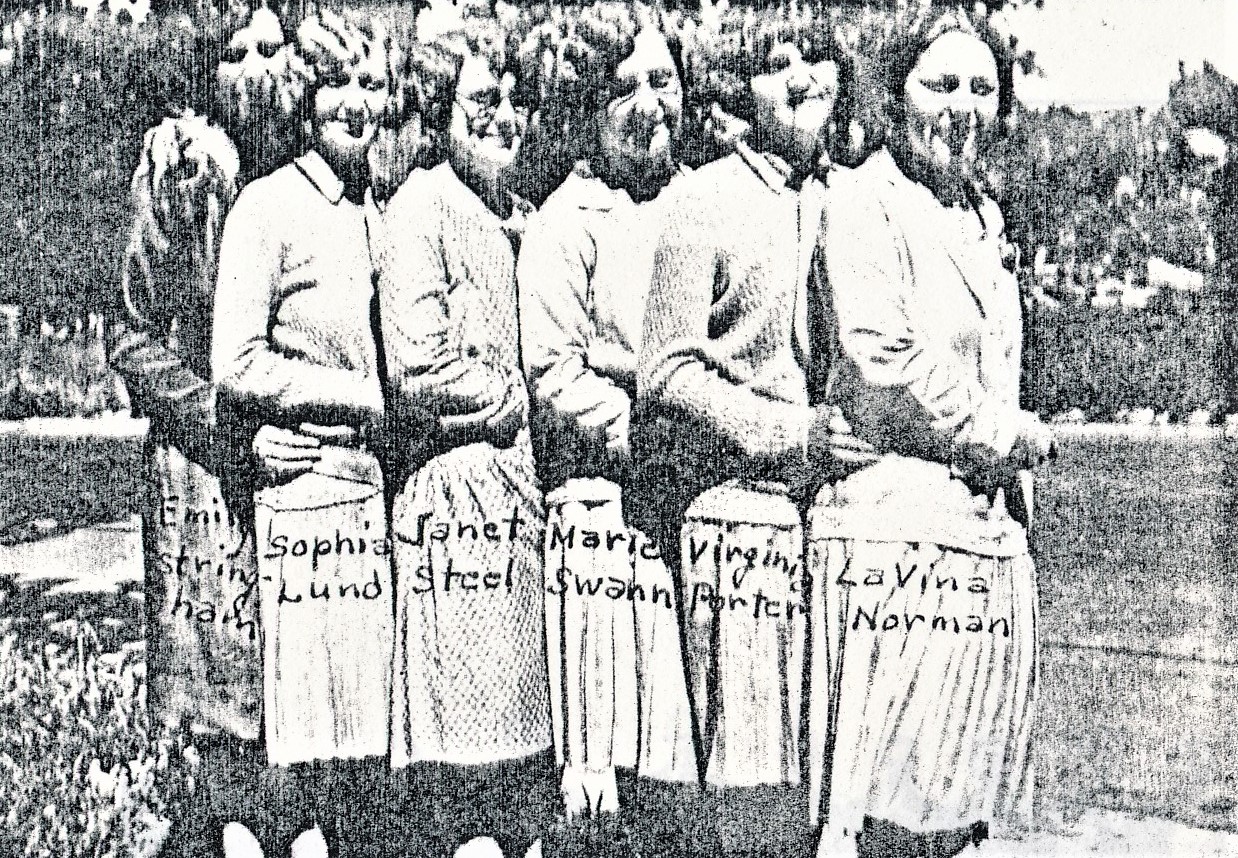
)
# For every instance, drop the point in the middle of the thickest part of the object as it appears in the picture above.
(919, 397)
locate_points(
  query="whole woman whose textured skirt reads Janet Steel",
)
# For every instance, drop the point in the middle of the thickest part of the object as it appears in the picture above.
(470, 713)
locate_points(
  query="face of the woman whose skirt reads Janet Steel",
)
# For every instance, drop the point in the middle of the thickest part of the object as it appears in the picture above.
(487, 128)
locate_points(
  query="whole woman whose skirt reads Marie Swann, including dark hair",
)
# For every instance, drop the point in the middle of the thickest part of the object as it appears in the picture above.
(585, 267)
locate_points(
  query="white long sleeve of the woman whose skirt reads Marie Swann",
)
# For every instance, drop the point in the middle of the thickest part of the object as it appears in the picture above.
(582, 405)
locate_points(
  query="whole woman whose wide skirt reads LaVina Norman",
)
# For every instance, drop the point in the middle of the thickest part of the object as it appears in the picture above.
(930, 592)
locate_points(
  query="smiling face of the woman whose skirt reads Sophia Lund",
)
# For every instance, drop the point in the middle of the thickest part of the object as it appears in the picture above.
(347, 108)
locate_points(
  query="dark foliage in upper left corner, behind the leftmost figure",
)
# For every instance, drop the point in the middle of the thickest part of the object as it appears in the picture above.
(79, 97)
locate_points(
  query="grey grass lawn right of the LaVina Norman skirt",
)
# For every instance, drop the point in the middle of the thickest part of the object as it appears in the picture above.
(1140, 623)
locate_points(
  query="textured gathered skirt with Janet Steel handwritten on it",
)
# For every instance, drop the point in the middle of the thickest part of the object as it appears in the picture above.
(470, 667)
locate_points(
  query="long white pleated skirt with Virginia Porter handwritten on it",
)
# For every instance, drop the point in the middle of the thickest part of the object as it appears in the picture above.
(743, 575)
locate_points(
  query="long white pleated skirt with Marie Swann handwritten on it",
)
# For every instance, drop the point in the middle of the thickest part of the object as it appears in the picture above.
(618, 694)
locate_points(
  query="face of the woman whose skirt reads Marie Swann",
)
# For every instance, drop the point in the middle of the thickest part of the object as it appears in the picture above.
(639, 127)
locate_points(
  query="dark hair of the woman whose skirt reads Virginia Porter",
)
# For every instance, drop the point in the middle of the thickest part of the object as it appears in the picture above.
(726, 58)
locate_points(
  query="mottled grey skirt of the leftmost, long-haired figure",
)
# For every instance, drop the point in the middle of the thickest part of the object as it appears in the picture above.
(204, 658)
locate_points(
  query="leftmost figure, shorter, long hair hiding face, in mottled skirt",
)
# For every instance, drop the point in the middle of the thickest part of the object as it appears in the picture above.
(204, 663)
